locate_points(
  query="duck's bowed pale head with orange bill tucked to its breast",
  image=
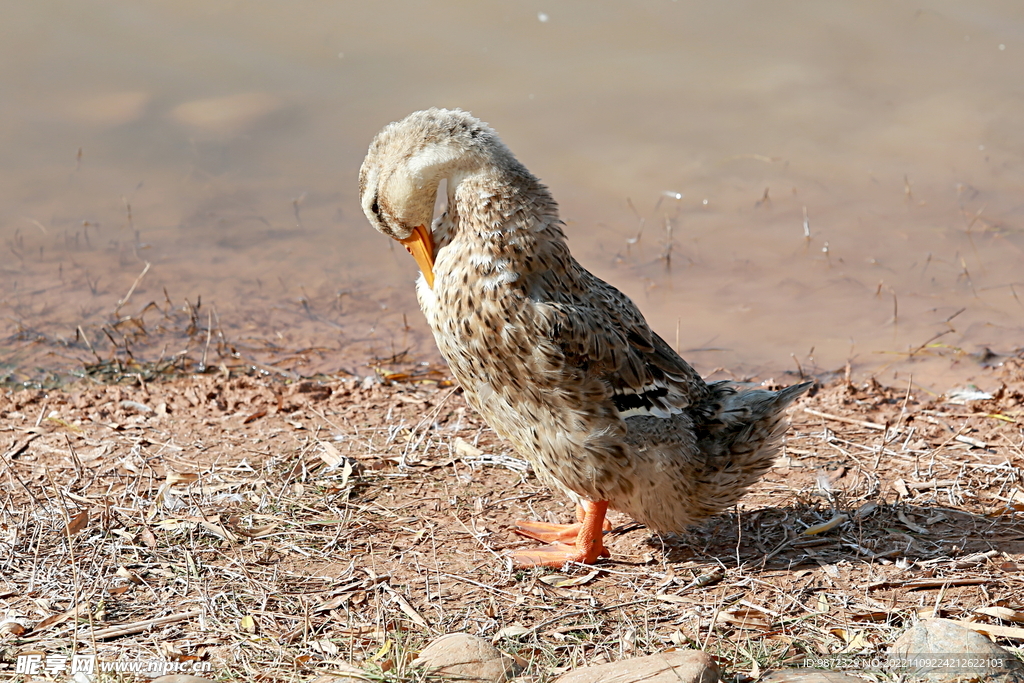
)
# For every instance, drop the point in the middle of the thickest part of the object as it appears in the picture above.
(406, 163)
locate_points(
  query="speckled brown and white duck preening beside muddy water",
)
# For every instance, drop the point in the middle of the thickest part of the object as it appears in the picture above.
(560, 363)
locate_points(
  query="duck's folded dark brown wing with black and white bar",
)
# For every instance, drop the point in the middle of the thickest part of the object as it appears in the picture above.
(601, 333)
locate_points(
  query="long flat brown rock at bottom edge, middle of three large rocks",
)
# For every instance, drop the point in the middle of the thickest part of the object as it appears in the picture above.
(675, 667)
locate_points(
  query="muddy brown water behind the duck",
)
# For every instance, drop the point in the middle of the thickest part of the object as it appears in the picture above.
(777, 185)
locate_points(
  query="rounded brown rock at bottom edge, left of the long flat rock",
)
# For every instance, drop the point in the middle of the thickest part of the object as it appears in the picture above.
(468, 659)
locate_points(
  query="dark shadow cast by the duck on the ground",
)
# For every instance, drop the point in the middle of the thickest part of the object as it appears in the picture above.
(777, 538)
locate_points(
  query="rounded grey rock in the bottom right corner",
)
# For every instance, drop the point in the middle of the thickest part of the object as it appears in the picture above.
(947, 644)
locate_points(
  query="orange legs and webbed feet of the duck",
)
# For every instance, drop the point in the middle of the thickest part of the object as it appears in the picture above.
(569, 543)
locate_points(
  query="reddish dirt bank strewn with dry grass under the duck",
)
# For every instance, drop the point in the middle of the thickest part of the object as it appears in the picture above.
(285, 529)
